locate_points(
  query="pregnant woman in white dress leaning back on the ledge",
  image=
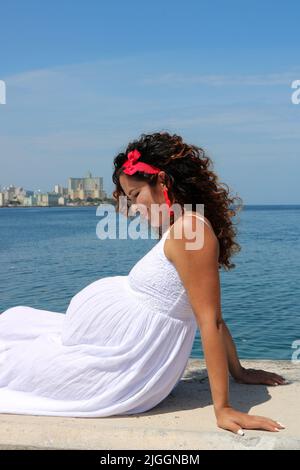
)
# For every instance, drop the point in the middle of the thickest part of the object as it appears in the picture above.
(124, 341)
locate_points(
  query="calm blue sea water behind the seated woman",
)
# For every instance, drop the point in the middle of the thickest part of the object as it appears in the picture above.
(48, 254)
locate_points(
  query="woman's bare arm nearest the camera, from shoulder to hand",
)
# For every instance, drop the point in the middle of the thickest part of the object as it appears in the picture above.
(198, 270)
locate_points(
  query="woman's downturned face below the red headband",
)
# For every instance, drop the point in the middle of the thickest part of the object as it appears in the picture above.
(144, 197)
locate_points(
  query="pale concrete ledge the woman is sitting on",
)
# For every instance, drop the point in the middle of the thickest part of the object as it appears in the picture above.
(184, 420)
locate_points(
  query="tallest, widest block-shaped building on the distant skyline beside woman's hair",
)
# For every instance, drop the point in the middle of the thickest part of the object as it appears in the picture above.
(89, 186)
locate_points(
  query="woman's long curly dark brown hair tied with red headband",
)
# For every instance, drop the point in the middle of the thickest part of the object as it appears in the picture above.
(190, 180)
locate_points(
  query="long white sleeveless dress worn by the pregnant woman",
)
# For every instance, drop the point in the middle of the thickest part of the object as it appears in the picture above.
(120, 348)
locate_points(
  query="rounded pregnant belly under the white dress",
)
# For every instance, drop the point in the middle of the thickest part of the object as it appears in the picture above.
(104, 313)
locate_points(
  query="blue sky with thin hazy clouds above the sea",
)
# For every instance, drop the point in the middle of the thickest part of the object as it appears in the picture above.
(85, 78)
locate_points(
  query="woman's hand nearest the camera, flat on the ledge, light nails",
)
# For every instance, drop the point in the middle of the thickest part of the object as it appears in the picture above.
(235, 421)
